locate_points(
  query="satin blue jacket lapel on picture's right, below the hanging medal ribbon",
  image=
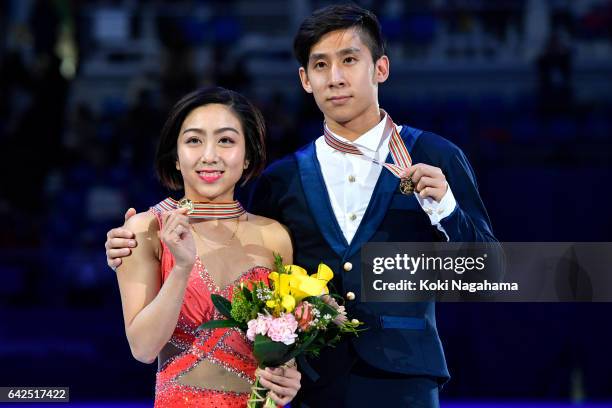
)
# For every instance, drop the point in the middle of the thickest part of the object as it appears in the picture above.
(386, 186)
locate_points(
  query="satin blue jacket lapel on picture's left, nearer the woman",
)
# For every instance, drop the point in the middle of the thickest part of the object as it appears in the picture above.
(318, 200)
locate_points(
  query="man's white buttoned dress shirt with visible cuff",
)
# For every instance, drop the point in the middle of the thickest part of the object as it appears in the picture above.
(350, 180)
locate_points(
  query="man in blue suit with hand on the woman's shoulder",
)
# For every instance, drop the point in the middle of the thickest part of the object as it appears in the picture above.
(335, 196)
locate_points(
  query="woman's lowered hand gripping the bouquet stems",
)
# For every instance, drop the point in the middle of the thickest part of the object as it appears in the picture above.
(283, 382)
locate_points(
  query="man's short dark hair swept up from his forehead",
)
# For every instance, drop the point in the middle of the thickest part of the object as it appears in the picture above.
(338, 17)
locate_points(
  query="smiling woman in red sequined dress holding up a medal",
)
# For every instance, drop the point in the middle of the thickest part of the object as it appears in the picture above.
(212, 139)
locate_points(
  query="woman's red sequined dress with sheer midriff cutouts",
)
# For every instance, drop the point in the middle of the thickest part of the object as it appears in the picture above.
(225, 348)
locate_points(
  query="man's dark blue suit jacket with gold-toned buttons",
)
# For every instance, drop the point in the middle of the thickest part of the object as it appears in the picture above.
(401, 337)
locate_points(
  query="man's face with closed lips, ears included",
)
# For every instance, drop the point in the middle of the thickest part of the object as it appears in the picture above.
(342, 76)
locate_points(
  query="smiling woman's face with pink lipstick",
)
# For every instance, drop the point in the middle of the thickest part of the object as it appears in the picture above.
(211, 153)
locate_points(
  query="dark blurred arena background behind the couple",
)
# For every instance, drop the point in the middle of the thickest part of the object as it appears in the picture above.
(522, 86)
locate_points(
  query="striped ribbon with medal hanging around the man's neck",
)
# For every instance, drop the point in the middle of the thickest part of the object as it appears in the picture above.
(397, 147)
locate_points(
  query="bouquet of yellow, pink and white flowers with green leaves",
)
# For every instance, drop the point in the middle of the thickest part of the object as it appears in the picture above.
(290, 315)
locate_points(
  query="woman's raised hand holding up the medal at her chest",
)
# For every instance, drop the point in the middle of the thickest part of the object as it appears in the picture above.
(176, 234)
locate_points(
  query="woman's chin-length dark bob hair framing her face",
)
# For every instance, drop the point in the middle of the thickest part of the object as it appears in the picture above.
(250, 118)
